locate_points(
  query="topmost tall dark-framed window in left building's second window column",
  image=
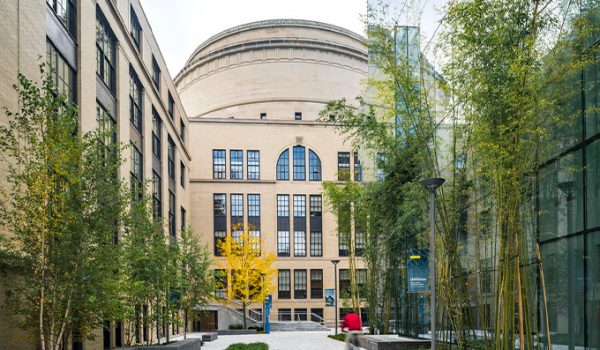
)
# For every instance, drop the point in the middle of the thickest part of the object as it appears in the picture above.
(105, 52)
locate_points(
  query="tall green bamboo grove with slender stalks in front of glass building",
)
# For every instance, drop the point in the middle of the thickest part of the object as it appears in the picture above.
(511, 78)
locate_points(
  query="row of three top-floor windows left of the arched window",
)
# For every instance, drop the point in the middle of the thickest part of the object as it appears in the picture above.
(236, 164)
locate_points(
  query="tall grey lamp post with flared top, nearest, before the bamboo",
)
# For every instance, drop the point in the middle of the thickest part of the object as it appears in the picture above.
(431, 185)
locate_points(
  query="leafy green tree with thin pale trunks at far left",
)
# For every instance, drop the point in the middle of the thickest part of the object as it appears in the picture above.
(61, 204)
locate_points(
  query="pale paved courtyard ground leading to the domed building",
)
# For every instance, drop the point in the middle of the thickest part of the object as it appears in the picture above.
(277, 341)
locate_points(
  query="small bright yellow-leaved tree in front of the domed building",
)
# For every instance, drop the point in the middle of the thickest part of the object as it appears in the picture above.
(247, 269)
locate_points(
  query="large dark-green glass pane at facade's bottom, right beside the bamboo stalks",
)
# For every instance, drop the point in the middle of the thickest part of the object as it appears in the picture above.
(562, 262)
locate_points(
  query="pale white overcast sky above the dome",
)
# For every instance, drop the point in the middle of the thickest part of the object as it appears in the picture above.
(181, 25)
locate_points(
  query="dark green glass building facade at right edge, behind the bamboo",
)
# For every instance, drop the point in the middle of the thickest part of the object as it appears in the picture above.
(569, 214)
